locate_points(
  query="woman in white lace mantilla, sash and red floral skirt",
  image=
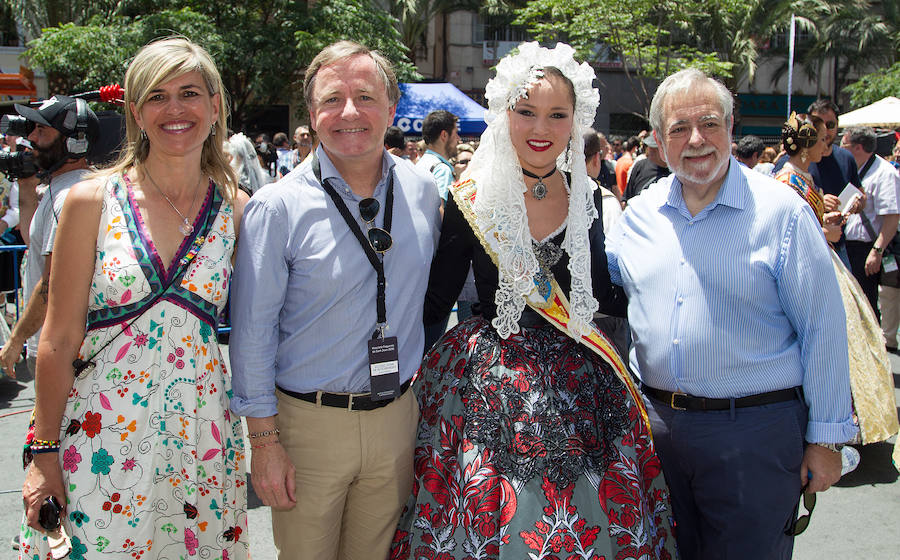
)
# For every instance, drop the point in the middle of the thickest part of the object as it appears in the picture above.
(532, 441)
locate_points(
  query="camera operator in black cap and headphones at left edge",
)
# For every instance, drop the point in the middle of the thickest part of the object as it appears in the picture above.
(61, 131)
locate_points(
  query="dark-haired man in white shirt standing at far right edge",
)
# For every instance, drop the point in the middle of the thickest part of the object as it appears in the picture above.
(870, 231)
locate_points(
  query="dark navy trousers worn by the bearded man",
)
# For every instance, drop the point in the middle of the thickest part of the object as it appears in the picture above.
(734, 477)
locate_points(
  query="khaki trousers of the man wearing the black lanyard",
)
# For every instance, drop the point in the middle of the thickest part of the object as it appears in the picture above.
(354, 475)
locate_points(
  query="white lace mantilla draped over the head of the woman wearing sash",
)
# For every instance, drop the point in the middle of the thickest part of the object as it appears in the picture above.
(499, 204)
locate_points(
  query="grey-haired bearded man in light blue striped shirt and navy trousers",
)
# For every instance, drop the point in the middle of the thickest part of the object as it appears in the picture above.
(744, 367)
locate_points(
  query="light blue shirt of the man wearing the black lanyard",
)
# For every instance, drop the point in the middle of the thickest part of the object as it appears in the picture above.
(303, 297)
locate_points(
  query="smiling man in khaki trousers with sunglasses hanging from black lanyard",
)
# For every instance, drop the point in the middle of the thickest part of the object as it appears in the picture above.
(327, 308)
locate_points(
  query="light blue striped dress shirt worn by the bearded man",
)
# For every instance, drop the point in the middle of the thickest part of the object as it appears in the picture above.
(734, 301)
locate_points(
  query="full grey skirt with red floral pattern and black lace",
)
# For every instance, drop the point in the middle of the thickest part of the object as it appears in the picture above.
(530, 448)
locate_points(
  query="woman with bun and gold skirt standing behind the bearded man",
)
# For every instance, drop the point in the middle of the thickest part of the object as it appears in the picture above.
(871, 381)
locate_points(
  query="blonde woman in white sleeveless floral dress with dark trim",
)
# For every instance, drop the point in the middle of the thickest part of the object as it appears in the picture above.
(132, 433)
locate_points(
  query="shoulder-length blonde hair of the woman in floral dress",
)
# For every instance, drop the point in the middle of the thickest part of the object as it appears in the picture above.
(156, 63)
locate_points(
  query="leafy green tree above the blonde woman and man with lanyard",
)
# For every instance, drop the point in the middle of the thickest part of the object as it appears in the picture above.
(261, 47)
